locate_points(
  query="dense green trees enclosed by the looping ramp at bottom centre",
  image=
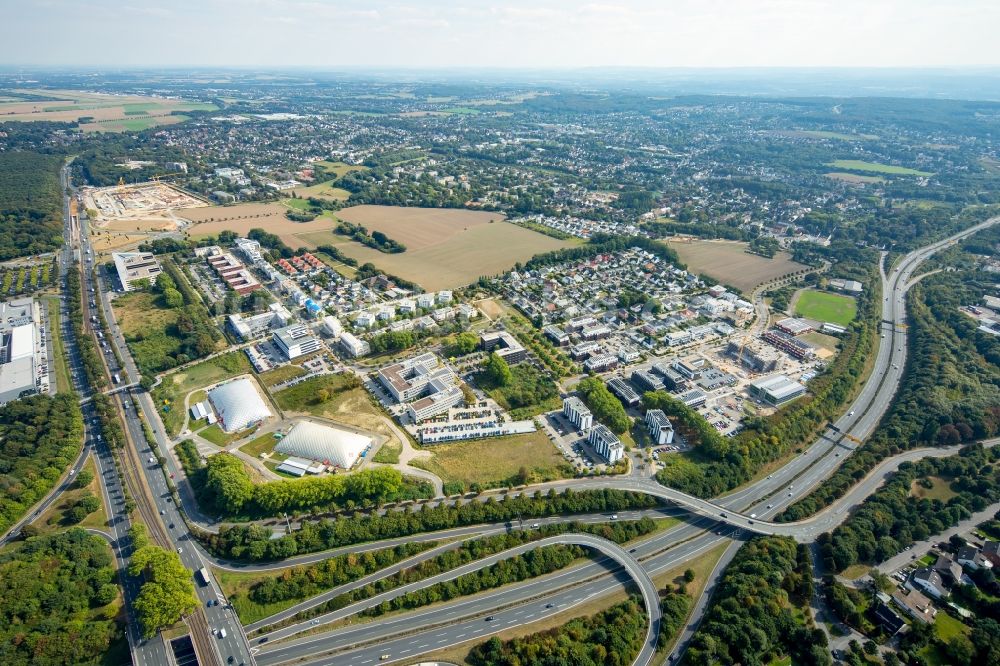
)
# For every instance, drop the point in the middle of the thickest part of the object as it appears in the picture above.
(610, 638)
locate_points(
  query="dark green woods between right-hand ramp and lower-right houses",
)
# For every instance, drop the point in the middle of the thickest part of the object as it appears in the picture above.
(893, 518)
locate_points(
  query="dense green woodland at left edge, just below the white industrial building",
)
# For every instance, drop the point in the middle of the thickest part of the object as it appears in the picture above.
(40, 437)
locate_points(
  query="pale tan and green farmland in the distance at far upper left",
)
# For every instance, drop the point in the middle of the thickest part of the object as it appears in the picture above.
(107, 113)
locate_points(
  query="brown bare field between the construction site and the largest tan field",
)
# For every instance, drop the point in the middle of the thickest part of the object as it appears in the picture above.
(244, 217)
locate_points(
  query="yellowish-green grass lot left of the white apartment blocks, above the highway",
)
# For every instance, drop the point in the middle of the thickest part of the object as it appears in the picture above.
(497, 461)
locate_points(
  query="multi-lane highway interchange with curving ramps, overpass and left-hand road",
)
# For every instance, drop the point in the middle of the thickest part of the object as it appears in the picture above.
(409, 635)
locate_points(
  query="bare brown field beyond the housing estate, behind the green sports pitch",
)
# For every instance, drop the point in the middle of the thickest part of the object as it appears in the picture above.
(729, 263)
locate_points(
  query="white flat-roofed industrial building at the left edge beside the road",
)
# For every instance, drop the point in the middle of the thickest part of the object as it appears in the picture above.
(22, 370)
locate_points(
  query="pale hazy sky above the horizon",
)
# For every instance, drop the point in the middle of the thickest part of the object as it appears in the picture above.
(517, 33)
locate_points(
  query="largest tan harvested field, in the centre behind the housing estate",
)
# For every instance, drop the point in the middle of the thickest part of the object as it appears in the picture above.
(446, 248)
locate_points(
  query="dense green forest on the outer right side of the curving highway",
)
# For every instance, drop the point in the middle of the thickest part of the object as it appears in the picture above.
(950, 393)
